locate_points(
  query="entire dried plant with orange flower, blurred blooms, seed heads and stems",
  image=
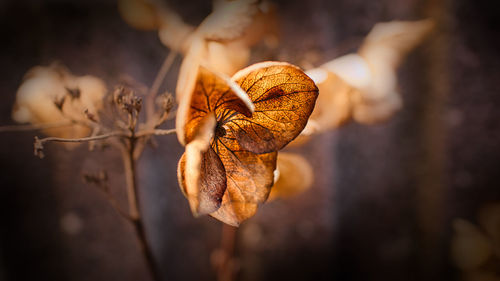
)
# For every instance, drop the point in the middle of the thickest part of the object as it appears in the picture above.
(232, 128)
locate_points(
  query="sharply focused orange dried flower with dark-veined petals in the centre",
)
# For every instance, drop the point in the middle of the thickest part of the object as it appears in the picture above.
(232, 129)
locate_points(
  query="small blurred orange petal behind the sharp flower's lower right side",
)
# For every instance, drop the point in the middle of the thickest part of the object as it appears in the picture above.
(295, 176)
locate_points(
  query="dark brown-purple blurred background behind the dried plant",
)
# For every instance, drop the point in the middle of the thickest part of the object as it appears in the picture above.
(384, 199)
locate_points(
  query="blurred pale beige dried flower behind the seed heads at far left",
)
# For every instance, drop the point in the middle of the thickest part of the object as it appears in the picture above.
(52, 94)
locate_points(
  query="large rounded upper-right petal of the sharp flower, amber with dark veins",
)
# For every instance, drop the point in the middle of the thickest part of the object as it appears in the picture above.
(284, 98)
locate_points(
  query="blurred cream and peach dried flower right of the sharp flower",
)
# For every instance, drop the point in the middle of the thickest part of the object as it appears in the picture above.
(364, 85)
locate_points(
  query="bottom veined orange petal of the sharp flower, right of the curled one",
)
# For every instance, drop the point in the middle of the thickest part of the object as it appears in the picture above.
(249, 180)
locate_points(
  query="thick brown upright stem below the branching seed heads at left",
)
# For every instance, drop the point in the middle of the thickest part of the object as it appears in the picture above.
(134, 209)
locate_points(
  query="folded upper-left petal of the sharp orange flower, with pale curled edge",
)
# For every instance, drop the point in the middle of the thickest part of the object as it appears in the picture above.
(211, 93)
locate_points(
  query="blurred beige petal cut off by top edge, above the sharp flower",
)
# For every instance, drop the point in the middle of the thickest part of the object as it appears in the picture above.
(228, 20)
